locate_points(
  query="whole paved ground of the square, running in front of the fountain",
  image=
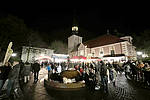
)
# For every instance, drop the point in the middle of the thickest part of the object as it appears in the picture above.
(125, 90)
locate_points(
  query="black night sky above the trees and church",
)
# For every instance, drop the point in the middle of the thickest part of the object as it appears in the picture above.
(57, 21)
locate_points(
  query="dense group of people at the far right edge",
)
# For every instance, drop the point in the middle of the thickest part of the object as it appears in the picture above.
(138, 71)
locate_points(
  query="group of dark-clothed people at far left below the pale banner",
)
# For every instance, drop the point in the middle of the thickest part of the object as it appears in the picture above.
(9, 75)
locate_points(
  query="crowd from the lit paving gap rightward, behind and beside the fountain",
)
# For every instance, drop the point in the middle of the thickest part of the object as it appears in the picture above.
(101, 73)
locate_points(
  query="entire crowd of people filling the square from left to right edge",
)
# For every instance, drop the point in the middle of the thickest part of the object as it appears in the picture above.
(94, 74)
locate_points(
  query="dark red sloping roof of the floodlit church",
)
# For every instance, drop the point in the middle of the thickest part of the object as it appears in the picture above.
(103, 40)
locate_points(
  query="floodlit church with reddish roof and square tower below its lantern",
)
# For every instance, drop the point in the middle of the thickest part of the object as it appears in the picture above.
(104, 47)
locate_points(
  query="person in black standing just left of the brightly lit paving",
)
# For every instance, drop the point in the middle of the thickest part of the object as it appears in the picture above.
(36, 69)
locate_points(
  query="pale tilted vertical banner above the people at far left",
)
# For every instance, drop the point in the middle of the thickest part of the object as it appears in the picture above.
(8, 53)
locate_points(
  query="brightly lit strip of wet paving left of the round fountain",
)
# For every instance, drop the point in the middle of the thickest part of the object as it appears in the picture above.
(36, 91)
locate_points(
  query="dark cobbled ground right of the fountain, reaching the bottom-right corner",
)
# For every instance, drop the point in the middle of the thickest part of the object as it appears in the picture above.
(128, 90)
